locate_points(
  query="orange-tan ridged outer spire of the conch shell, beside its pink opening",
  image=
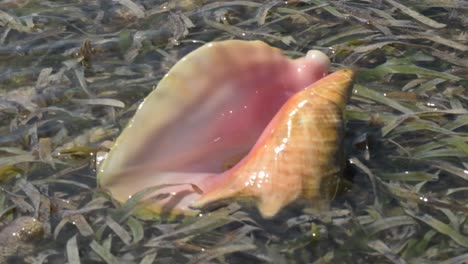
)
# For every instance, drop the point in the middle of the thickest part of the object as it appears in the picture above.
(306, 133)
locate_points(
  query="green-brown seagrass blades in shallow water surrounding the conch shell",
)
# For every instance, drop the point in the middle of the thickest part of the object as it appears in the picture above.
(73, 73)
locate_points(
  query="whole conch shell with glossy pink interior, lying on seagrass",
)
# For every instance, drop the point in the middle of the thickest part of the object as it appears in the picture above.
(223, 101)
